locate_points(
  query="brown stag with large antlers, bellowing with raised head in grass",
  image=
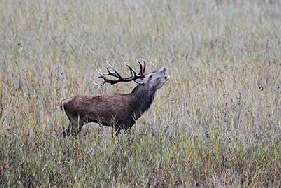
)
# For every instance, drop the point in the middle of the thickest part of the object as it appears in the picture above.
(119, 111)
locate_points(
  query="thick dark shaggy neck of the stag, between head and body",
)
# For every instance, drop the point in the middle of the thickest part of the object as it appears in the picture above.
(142, 98)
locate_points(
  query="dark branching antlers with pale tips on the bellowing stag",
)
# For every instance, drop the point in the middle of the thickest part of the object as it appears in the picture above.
(115, 74)
